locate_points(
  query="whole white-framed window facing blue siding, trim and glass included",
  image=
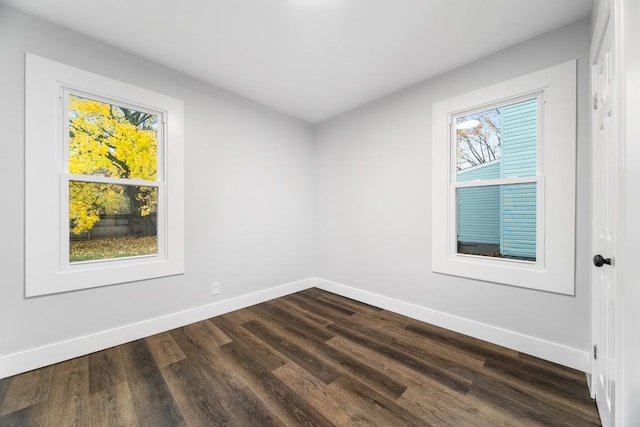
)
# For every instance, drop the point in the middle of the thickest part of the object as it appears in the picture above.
(504, 182)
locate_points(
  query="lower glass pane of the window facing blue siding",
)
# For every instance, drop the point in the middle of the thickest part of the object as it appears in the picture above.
(497, 221)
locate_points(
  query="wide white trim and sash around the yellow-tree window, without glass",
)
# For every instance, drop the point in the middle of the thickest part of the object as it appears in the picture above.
(47, 269)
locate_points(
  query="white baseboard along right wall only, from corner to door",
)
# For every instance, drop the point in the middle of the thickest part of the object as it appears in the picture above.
(547, 350)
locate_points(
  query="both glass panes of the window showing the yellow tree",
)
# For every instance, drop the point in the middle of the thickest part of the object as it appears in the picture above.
(106, 219)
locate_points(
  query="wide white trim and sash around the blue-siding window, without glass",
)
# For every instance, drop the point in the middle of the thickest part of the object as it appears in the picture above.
(553, 270)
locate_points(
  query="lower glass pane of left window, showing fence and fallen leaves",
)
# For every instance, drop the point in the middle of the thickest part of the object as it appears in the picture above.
(111, 221)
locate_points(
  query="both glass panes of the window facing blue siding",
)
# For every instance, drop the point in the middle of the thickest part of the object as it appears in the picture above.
(497, 144)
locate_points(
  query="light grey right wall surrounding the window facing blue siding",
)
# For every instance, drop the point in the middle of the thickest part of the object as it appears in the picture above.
(373, 198)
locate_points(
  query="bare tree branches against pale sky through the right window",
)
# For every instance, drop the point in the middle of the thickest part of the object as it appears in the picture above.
(478, 144)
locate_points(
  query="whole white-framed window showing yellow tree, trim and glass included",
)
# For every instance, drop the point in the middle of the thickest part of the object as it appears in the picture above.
(101, 205)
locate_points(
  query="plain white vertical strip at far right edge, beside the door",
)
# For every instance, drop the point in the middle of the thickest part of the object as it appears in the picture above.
(627, 16)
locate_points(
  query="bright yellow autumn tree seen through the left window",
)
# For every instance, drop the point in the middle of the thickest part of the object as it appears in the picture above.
(114, 142)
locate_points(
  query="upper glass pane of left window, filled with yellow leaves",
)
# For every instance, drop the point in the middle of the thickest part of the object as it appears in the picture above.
(112, 141)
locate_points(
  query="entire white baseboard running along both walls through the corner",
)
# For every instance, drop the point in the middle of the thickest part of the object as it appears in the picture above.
(38, 357)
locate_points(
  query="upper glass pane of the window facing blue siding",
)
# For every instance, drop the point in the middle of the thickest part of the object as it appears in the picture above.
(498, 143)
